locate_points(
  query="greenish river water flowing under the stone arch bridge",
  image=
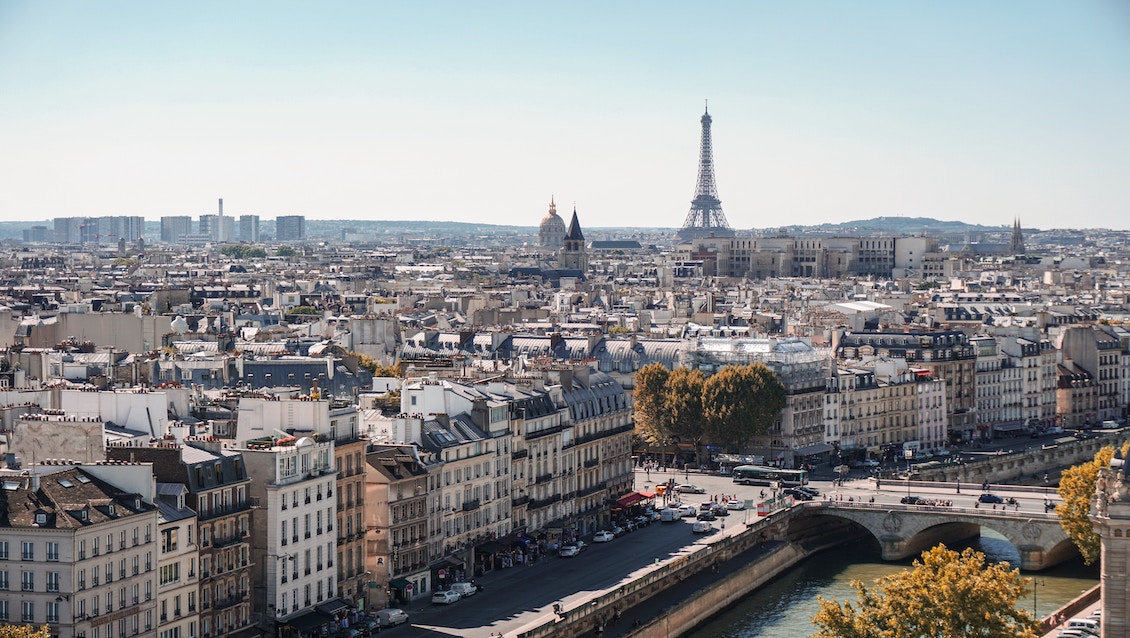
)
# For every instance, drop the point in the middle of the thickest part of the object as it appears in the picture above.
(786, 607)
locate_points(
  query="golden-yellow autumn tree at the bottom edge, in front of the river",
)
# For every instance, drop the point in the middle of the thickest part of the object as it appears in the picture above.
(944, 596)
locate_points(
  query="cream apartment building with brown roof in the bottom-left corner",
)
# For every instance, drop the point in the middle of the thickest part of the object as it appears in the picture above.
(79, 552)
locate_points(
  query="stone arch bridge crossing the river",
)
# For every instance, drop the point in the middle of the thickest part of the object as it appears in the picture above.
(908, 530)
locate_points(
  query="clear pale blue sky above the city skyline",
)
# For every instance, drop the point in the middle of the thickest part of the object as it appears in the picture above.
(482, 111)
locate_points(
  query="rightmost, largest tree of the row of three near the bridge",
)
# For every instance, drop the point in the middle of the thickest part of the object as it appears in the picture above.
(742, 403)
